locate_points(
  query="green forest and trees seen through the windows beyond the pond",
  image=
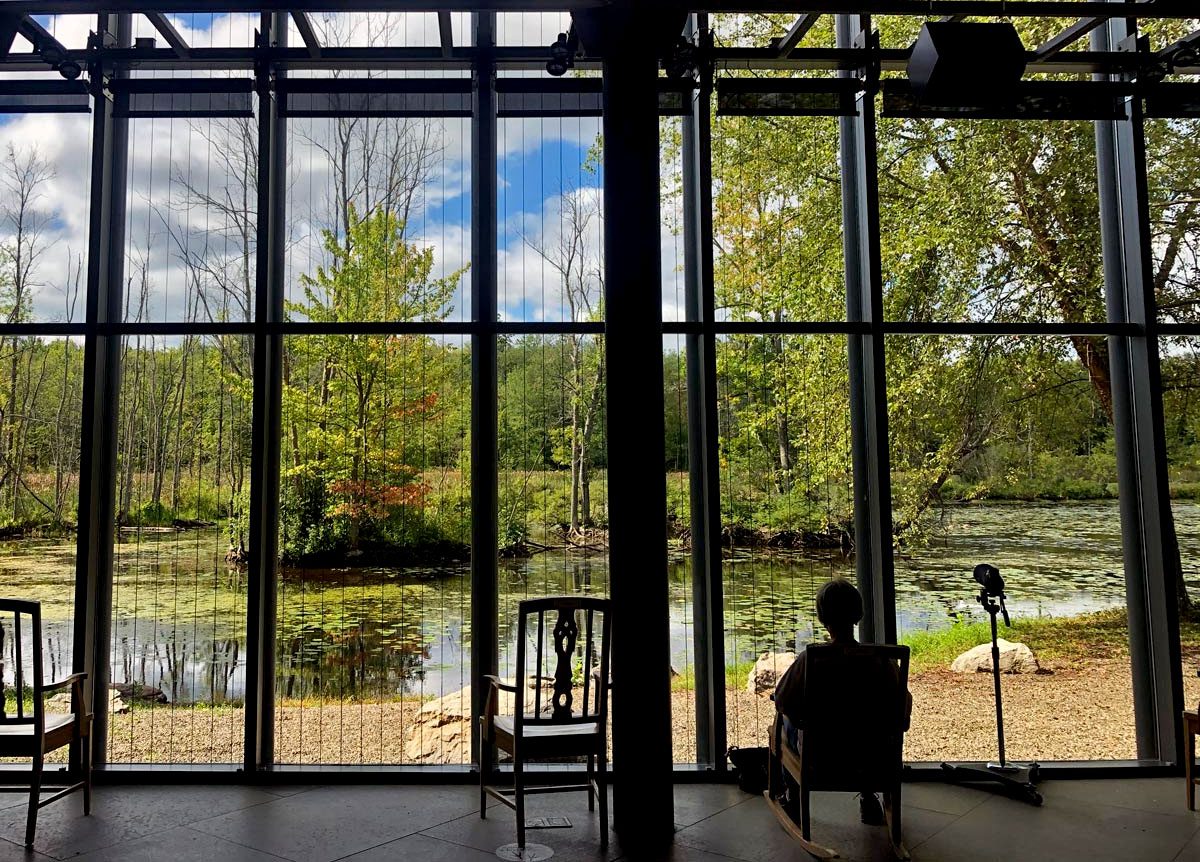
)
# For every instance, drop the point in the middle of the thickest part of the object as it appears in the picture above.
(991, 222)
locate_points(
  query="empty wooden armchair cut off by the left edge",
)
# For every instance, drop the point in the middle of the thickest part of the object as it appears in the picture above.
(32, 733)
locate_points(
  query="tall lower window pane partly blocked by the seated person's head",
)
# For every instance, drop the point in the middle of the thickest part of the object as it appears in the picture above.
(787, 506)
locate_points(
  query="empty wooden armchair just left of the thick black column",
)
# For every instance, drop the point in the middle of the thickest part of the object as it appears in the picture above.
(553, 726)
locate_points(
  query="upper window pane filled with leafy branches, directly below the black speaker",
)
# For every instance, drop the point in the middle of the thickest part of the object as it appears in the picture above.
(989, 220)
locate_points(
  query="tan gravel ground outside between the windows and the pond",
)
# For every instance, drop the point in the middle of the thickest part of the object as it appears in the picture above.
(1082, 710)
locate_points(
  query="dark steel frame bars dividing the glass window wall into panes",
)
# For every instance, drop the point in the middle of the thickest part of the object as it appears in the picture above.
(1132, 328)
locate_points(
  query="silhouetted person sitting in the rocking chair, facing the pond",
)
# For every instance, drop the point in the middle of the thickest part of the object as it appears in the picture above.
(839, 609)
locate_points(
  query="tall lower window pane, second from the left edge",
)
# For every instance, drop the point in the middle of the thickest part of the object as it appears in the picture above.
(179, 583)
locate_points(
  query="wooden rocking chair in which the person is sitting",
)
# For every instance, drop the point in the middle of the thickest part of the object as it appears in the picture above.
(850, 737)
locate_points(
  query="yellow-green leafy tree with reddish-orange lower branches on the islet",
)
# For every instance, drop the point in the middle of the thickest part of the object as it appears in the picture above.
(365, 397)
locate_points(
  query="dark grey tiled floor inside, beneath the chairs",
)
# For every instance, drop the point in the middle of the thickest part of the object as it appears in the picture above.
(1142, 821)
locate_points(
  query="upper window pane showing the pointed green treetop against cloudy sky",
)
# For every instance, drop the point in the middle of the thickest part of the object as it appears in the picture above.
(379, 220)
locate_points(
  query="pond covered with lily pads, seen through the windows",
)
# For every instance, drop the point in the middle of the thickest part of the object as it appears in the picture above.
(179, 609)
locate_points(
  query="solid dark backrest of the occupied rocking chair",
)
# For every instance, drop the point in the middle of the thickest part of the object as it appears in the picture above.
(855, 715)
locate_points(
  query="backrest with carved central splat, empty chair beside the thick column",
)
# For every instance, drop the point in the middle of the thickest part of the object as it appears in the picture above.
(562, 653)
